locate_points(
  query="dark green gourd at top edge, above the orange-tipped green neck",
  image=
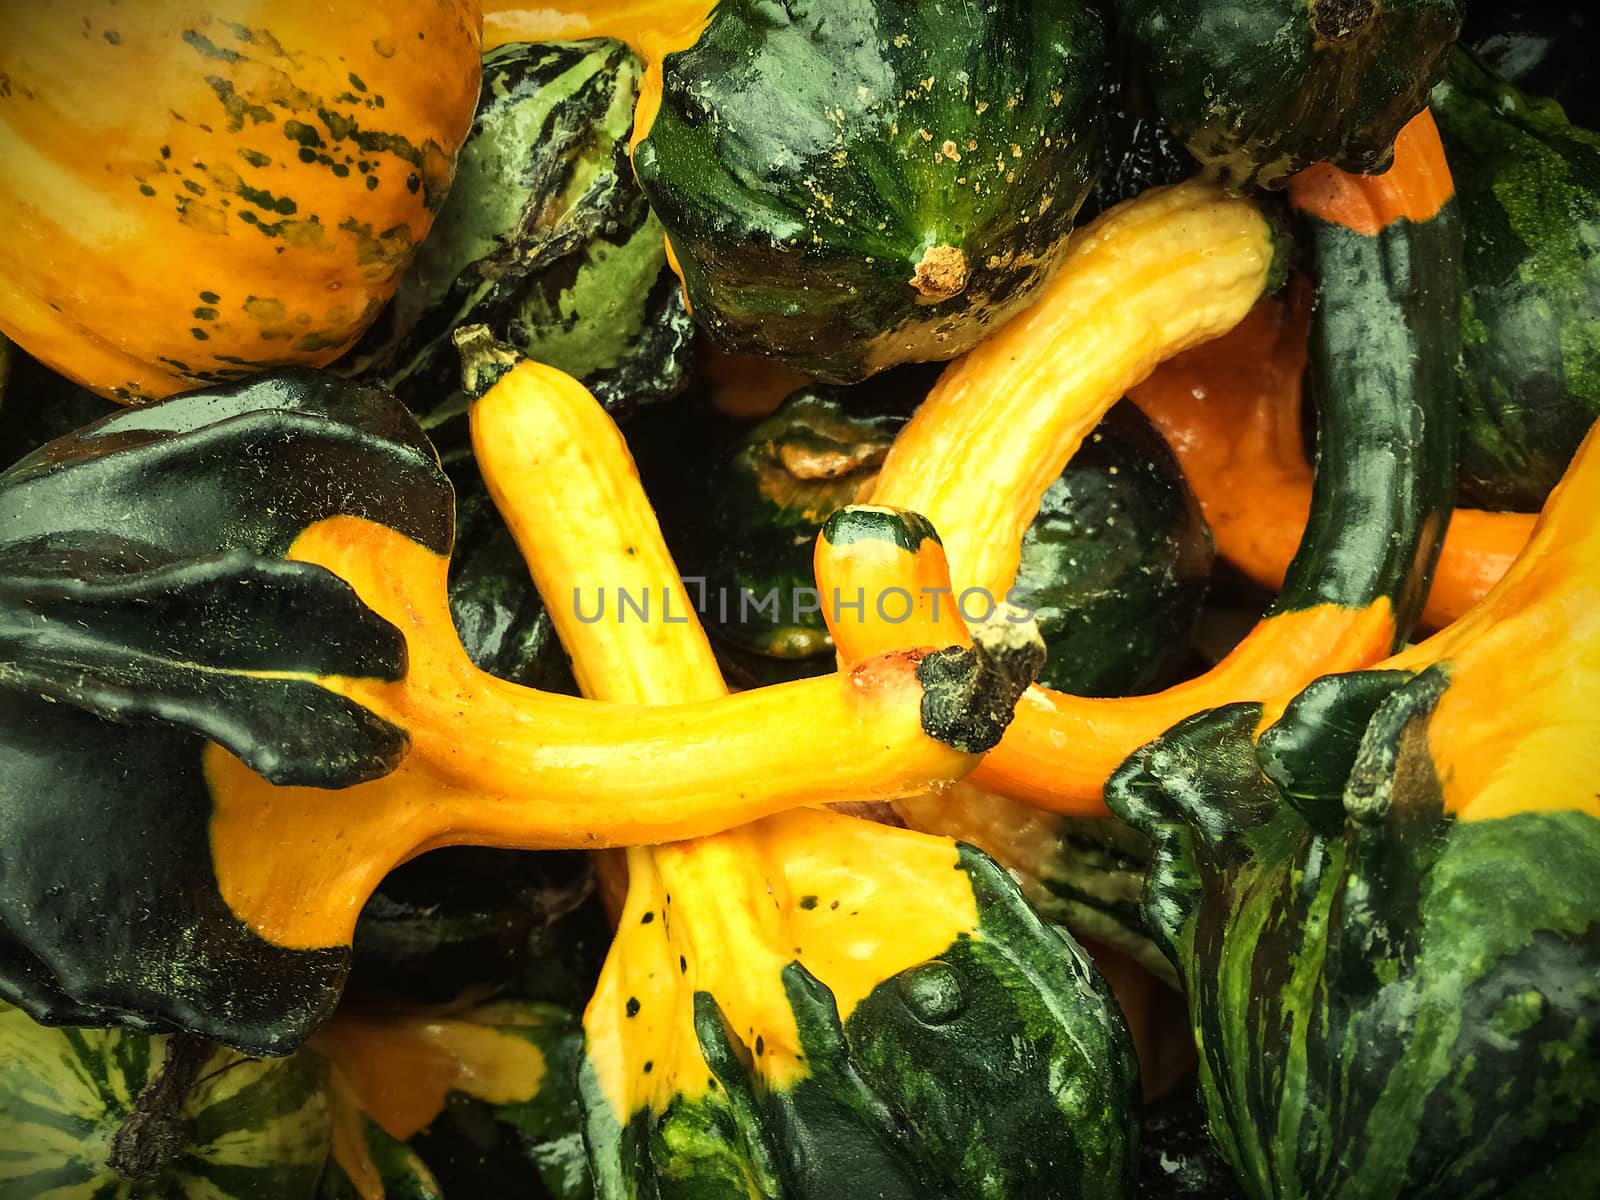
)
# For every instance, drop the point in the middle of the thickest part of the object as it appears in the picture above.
(1263, 89)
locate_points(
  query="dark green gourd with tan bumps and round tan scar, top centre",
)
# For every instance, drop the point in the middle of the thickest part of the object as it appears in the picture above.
(849, 186)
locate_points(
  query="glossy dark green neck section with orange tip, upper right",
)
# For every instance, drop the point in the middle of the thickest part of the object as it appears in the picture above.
(1383, 346)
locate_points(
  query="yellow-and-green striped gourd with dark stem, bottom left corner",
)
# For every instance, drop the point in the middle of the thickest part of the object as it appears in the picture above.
(114, 1114)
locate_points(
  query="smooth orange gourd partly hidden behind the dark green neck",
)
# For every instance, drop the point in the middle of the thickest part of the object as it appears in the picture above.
(1231, 410)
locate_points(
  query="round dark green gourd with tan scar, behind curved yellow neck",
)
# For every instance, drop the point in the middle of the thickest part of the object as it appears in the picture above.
(1114, 566)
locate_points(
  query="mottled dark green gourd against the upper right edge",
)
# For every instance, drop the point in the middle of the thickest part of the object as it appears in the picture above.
(1529, 188)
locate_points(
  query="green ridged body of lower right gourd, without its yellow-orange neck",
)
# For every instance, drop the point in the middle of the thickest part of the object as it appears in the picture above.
(1367, 977)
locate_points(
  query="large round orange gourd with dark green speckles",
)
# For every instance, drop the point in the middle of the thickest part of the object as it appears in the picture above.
(225, 188)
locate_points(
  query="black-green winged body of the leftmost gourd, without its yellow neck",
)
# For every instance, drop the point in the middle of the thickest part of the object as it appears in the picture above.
(146, 612)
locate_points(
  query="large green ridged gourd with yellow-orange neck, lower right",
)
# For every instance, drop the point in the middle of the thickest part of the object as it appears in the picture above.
(1383, 905)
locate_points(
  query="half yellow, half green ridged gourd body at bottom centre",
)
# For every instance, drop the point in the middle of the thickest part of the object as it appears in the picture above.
(913, 1086)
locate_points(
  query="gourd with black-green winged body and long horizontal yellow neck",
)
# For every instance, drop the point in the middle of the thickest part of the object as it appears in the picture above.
(225, 618)
